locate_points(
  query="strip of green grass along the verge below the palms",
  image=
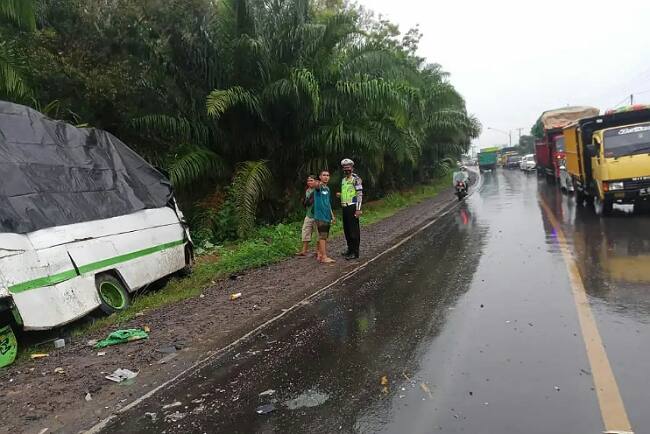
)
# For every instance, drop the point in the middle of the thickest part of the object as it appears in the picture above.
(270, 244)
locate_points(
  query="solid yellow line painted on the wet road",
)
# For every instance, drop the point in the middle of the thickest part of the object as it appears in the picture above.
(611, 404)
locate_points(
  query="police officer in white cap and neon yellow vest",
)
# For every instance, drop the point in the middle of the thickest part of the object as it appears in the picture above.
(351, 196)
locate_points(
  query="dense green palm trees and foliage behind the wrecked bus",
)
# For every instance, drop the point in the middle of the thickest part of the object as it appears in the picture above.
(239, 99)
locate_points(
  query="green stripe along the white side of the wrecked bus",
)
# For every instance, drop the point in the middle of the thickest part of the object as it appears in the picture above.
(67, 275)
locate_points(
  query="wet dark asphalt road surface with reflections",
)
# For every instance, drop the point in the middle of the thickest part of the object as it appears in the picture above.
(470, 327)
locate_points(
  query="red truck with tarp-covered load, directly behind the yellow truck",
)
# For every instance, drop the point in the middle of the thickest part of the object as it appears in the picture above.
(552, 122)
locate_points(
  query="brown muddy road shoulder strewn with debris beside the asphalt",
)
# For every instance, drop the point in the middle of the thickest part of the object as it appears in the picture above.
(35, 397)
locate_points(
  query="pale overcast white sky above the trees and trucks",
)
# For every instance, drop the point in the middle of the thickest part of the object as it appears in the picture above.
(513, 59)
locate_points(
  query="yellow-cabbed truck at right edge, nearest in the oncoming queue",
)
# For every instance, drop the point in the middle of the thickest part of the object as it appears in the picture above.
(608, 158)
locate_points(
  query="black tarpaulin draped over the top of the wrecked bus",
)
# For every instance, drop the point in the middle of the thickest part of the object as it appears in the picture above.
(53, 174)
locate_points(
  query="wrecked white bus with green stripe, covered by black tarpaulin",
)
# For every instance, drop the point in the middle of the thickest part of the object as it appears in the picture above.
(84, 221)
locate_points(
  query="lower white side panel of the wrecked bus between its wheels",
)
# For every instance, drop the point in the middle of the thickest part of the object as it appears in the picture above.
(52, 306)
